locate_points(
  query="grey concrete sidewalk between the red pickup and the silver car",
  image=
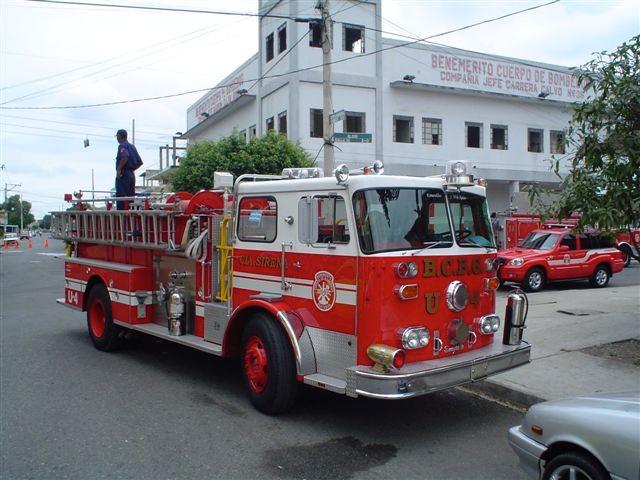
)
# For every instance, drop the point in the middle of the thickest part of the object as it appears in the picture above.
(558, 367)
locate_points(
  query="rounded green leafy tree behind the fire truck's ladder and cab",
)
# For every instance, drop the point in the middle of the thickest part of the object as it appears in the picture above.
(266, 155)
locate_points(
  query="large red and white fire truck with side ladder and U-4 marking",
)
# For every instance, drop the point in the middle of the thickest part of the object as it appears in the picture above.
(362, 284)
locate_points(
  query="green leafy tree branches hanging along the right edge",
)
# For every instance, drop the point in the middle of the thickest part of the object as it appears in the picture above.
(603, 183)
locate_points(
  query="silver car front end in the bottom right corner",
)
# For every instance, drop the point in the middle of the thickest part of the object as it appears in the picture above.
(595, 437)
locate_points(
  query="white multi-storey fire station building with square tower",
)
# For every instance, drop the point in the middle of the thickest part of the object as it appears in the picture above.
(420, 105)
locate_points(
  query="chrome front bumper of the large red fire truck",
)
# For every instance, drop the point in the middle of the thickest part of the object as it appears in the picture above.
(421, 378)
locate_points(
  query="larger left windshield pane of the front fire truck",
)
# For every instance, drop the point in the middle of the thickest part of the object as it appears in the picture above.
(389, 219)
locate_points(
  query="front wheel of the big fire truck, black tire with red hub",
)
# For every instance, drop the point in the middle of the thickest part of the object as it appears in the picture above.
(268, 365)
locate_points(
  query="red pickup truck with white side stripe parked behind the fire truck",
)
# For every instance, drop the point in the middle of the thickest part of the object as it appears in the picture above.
(557, 254)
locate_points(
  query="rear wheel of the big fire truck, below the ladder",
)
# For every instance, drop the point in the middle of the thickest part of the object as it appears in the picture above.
(105, 335)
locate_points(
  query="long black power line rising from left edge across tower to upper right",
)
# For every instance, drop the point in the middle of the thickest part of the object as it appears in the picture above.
(232, 84)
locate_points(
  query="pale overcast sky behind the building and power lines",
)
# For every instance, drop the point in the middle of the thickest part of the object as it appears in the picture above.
(56, 55)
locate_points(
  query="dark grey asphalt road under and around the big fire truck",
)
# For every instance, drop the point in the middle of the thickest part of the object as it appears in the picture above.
(156, 410)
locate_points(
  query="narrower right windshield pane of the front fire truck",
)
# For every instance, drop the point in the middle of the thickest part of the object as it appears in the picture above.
(470, 215)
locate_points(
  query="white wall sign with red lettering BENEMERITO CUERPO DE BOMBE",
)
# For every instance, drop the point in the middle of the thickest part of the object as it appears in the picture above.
(503, 77)
